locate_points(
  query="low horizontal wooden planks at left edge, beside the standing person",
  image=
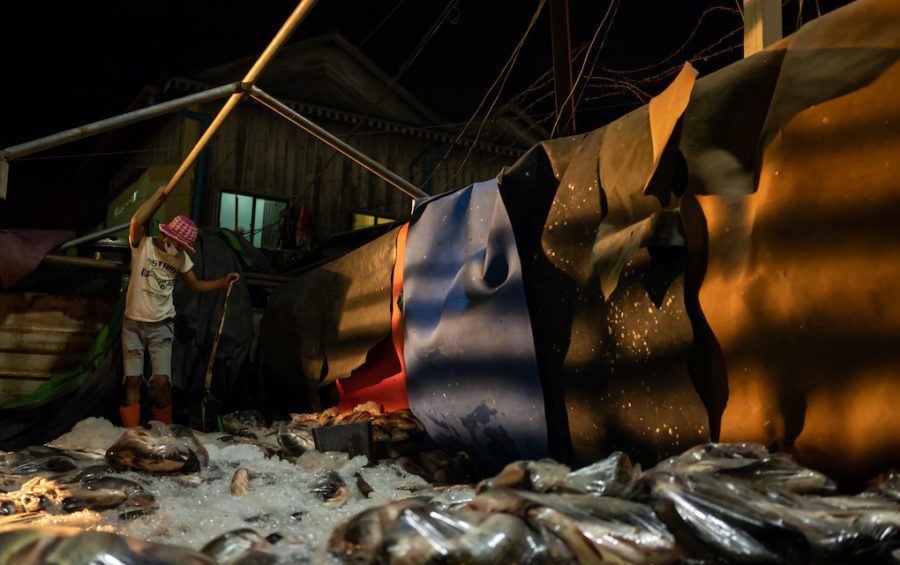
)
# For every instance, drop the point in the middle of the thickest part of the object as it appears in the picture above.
(42, 334)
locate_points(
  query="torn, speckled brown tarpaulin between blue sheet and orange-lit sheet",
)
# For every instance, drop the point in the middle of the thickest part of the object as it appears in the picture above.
(615, 370)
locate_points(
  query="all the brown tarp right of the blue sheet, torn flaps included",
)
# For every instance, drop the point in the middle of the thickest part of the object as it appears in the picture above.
(722, 263)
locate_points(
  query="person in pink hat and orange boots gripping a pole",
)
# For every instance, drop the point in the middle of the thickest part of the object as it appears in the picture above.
(149, 323)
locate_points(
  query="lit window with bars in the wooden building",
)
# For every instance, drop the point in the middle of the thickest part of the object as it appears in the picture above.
(257, 219)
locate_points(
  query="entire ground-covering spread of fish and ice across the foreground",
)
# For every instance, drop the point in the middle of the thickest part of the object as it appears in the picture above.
(167, 494)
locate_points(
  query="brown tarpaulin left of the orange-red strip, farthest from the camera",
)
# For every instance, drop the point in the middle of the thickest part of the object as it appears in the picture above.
(319, 327)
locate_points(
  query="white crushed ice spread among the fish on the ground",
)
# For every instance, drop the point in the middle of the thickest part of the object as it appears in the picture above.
(191, 510)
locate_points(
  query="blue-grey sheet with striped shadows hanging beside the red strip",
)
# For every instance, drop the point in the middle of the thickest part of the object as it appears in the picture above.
(471, 371)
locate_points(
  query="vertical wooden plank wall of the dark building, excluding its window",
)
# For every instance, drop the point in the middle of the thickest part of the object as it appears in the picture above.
(258, 153)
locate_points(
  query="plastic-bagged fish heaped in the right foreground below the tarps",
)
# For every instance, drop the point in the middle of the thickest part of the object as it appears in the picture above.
(714, 503)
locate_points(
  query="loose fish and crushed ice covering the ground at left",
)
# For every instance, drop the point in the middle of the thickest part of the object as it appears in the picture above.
(179, 496)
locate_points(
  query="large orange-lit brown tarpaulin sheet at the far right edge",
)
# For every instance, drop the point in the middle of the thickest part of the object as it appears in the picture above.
(795, 233)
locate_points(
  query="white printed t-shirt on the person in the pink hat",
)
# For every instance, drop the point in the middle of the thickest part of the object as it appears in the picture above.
(153, 273)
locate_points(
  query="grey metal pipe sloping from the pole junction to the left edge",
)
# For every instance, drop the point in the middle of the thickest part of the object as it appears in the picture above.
(94, 128)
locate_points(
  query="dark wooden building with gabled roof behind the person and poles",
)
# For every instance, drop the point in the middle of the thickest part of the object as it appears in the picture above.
(259, 164)
